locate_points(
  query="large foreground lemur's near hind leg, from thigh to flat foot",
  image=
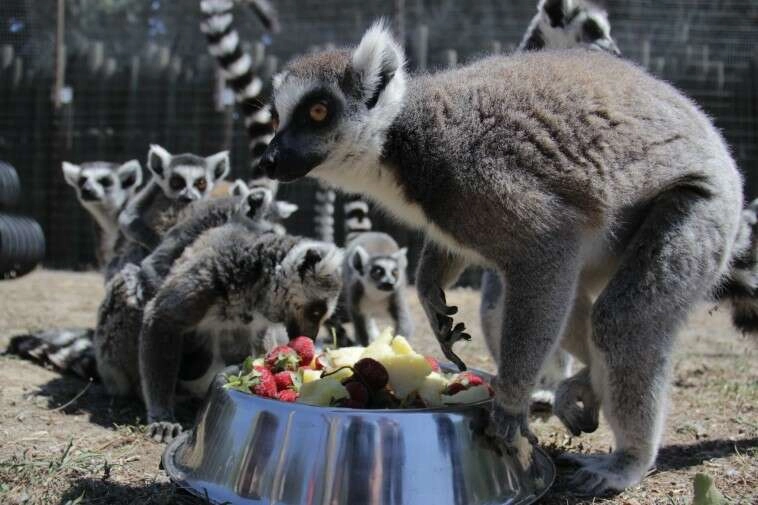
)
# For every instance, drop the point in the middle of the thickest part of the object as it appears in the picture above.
(675, 258)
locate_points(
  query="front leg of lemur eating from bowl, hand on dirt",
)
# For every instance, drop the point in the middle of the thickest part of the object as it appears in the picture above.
(177, 308)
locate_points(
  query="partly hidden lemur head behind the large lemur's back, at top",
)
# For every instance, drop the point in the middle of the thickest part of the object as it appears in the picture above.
(564, 24)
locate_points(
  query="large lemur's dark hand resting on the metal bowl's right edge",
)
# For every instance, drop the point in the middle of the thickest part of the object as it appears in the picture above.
(512, 429)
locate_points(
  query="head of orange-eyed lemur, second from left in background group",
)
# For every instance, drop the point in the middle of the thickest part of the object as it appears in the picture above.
(186, 177)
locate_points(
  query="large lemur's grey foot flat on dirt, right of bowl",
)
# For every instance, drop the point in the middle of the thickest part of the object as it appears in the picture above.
(601, 475)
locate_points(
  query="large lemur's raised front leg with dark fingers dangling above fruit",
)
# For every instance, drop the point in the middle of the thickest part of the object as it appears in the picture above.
(437, 270)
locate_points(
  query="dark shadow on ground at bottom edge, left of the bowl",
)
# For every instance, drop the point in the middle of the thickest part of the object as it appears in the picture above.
(97, 491)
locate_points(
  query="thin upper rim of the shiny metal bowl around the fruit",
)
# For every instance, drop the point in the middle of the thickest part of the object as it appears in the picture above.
(221, 379)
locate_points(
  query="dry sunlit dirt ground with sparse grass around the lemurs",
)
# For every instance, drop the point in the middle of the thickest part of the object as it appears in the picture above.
(64, 441)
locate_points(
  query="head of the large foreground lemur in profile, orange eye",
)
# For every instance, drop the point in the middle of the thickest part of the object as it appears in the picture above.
(333, 108)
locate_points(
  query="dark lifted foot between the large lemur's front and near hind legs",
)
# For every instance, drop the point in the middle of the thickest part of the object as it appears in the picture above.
(576, 404)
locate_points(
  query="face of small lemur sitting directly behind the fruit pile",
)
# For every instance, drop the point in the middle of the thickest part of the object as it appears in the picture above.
(380, 273)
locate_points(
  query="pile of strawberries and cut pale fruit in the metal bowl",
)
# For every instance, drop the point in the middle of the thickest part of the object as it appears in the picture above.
(386, 374)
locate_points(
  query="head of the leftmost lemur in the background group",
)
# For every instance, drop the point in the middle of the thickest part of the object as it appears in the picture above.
(103, 185)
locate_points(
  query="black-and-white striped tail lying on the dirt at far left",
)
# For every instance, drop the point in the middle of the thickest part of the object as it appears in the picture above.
(67, 351)
